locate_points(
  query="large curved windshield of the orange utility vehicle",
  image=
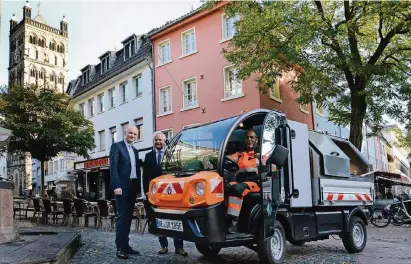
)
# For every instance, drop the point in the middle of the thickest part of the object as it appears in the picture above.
(197, 148)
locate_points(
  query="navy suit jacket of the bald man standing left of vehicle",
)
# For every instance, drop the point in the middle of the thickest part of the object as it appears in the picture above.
(120, 166)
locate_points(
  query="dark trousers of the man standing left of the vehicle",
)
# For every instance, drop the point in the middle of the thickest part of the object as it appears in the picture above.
(125, 208)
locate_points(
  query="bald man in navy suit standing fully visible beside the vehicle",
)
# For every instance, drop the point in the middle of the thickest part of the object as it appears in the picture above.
(125, 181)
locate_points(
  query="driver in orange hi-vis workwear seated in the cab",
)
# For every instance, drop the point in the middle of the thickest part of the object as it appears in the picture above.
(248, 162)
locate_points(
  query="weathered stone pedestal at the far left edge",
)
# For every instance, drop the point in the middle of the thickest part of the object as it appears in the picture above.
(7, 233)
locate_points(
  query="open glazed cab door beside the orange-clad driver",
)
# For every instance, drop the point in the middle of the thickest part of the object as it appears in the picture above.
(273, 158)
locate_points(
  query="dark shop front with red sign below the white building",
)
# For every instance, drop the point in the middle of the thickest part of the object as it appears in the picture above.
(93, 179)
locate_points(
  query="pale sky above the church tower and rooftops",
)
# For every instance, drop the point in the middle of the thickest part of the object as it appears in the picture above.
(94, 27)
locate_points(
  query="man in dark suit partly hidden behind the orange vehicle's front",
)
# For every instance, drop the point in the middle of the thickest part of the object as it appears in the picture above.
(151, 170)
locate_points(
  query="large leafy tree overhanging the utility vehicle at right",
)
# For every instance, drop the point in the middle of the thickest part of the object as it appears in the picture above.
(357, 52)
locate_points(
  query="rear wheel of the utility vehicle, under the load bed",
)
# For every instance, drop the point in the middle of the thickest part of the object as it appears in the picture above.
(356, 238)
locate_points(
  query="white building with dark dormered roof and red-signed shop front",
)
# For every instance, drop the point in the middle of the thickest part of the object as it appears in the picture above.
(113, 95)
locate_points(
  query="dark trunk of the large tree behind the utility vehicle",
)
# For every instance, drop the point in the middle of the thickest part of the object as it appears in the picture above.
(358, 111)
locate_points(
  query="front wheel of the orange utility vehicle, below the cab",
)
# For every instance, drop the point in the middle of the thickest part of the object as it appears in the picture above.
(273, 249)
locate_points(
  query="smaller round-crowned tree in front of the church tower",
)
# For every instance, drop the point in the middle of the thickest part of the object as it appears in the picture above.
(43, 124)
